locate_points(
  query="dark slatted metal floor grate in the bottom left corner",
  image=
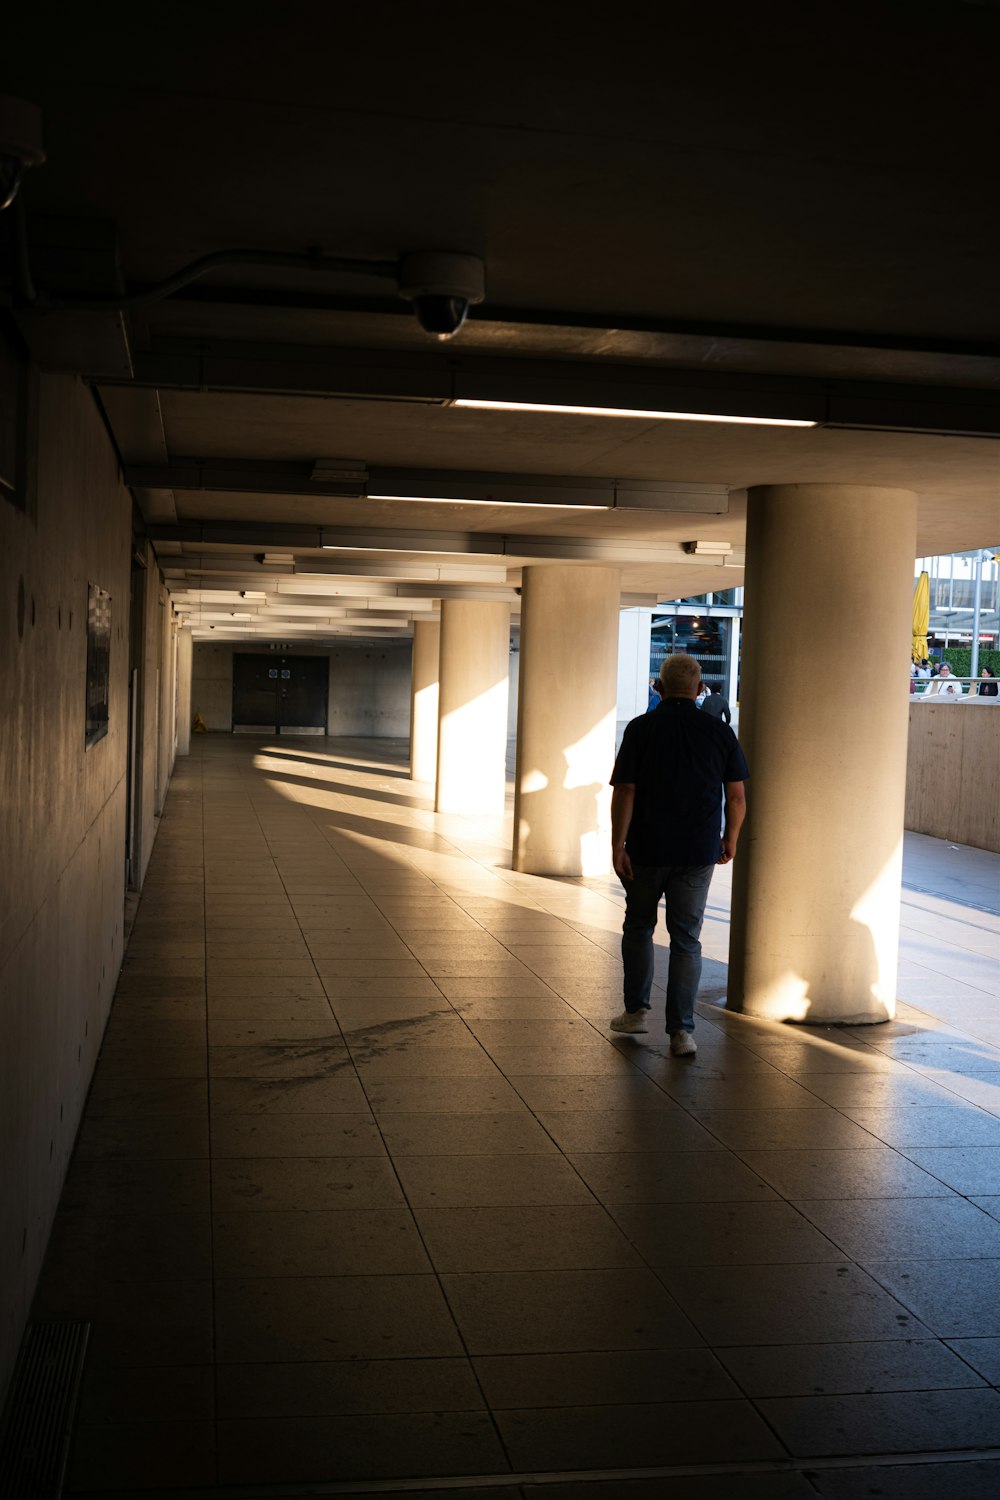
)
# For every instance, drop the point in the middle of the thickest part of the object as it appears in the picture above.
(40, 1411)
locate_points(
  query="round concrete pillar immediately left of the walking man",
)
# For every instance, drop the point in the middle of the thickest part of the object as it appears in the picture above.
(566, 719)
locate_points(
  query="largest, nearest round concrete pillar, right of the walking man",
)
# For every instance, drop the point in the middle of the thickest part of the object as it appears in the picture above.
(816, 883)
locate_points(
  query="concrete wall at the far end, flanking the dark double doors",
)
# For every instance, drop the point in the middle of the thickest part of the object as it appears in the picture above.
(370, 686)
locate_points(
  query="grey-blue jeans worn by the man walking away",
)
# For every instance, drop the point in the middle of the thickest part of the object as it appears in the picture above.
(684, 889)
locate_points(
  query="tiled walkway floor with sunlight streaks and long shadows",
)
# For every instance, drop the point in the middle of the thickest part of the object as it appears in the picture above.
(367, 1190)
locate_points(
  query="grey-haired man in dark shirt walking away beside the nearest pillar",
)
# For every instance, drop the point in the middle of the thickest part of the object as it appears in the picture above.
(668, 838)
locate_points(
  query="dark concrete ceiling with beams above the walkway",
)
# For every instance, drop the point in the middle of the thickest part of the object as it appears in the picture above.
(786, 203)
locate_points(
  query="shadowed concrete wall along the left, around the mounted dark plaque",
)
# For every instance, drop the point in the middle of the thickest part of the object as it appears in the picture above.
(62, 821)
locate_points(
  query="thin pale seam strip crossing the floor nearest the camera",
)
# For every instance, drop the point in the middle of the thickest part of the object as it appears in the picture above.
(540, 1478)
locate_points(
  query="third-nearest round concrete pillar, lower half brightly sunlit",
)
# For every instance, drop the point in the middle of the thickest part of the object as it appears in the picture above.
(473, 707)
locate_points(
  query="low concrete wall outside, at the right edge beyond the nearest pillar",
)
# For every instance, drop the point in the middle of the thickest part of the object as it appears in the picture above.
(953, 776)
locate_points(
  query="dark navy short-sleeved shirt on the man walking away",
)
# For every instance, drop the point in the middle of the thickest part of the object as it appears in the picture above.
(678, 760)
